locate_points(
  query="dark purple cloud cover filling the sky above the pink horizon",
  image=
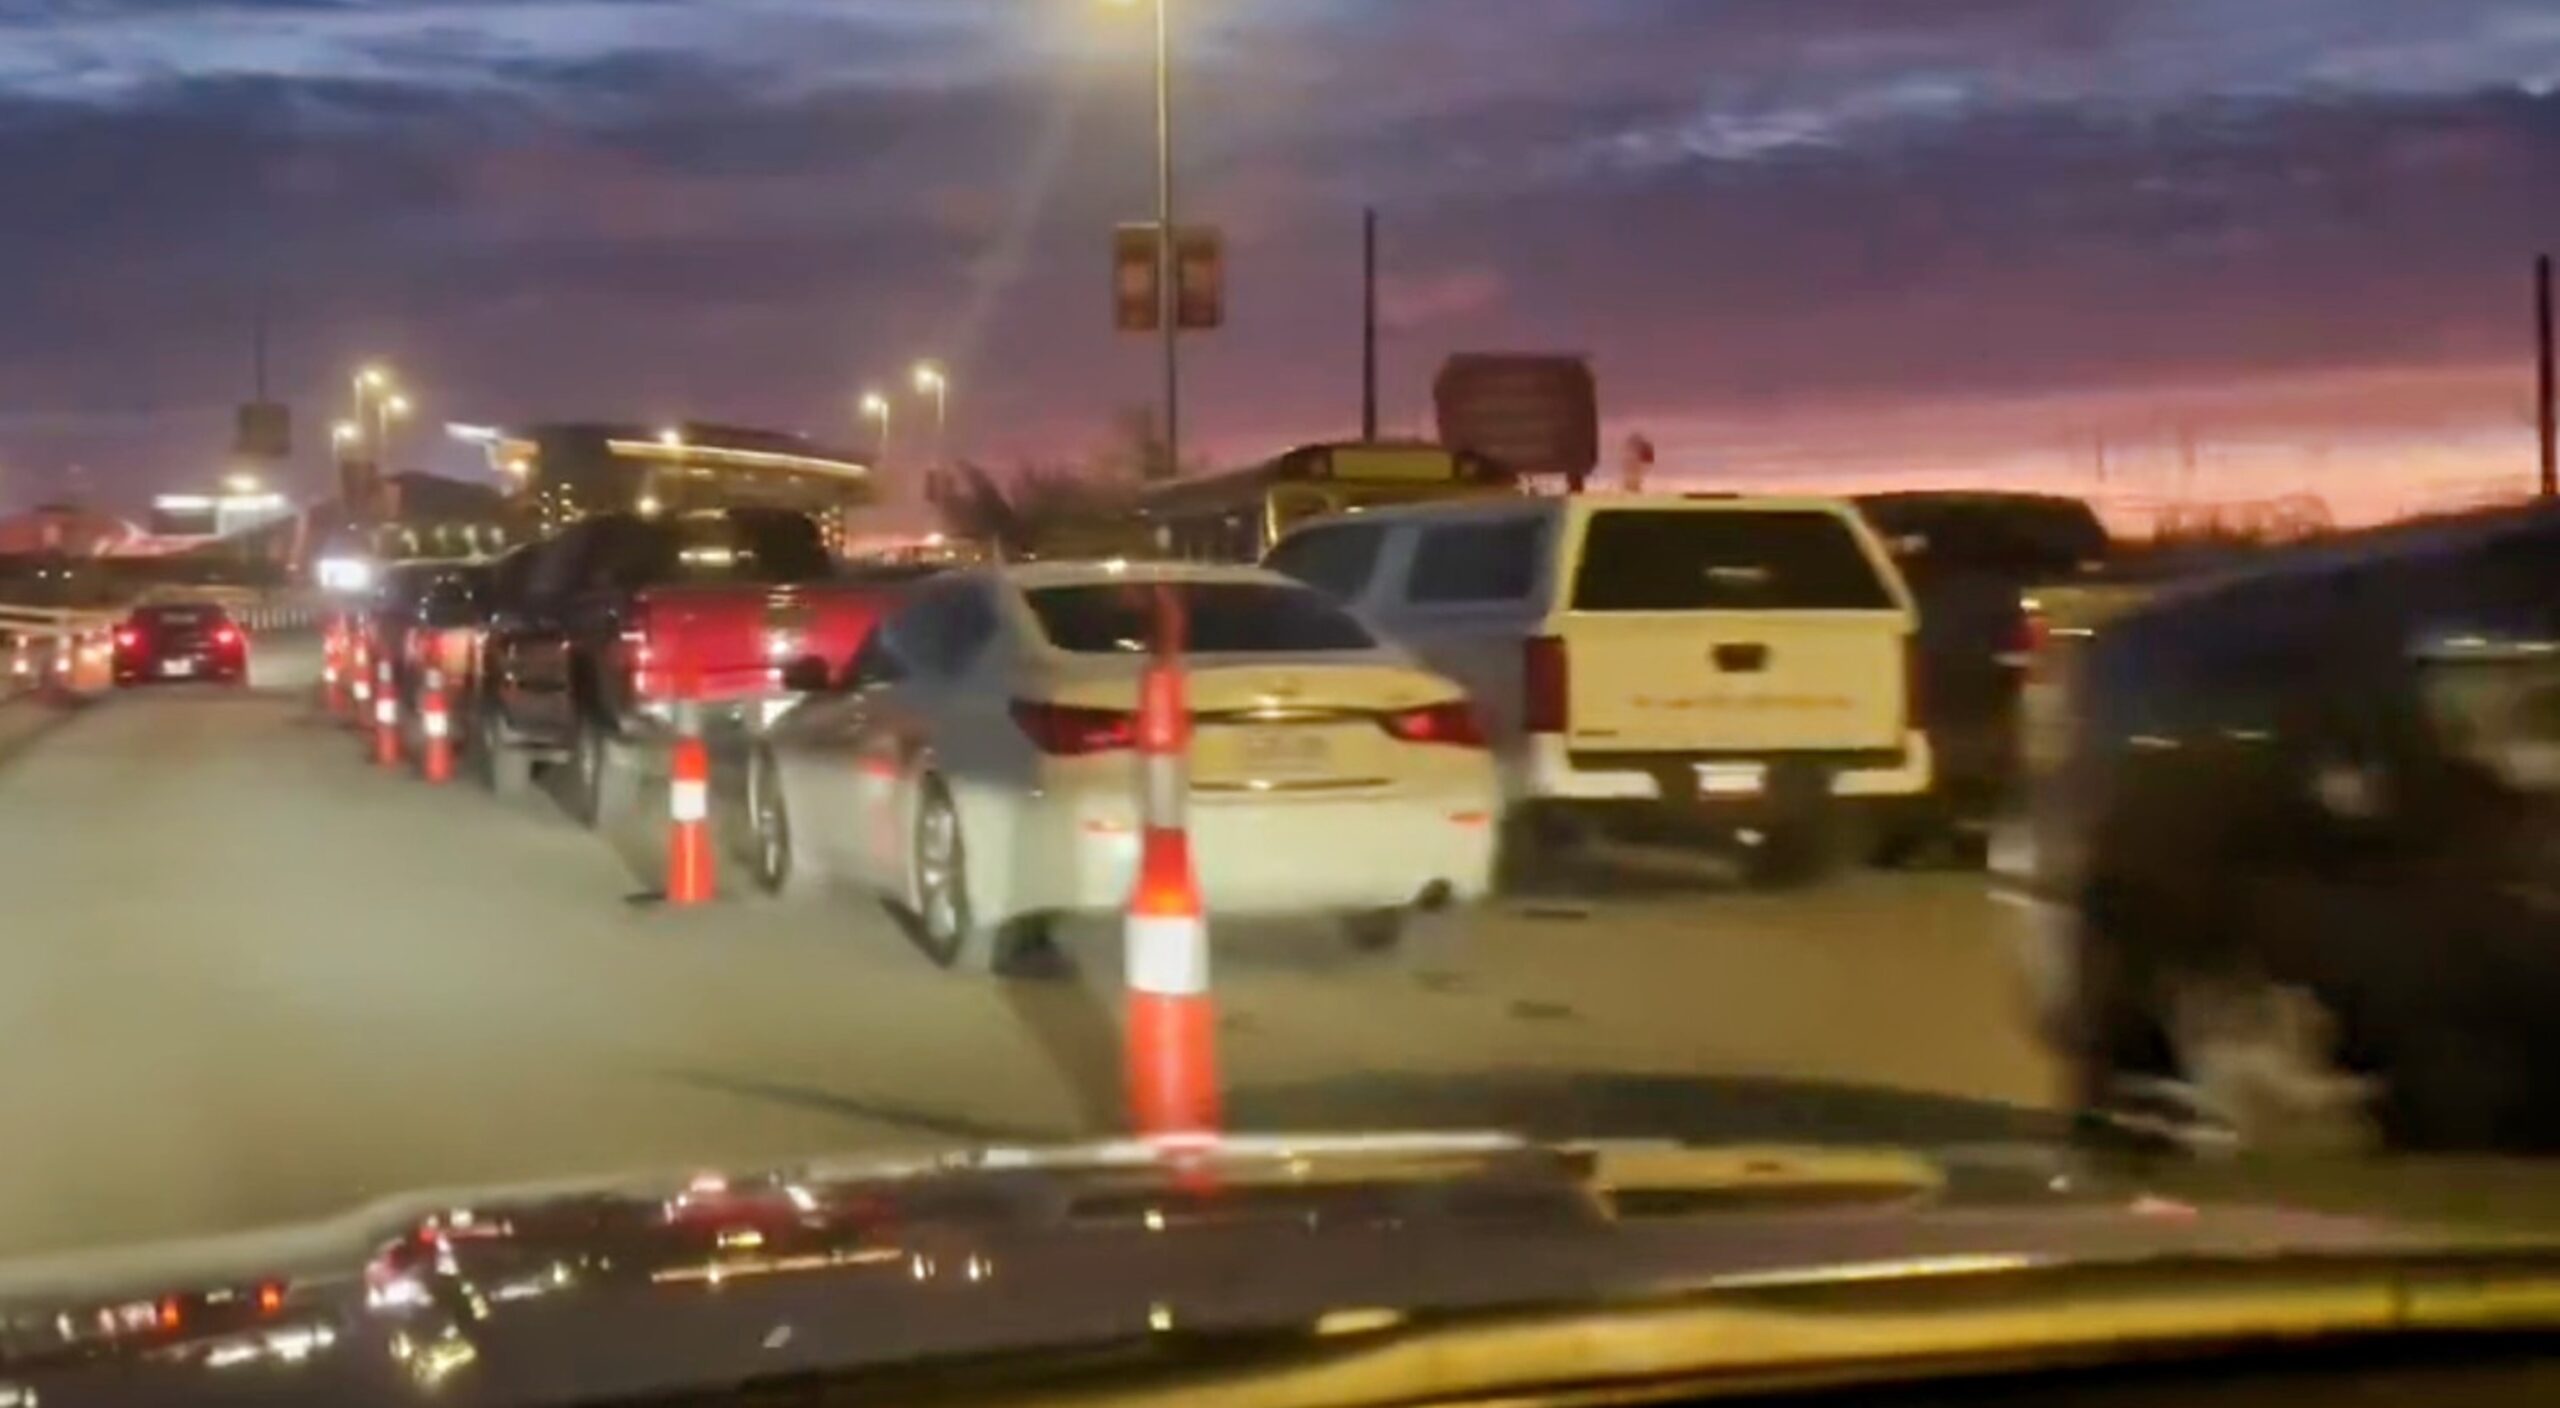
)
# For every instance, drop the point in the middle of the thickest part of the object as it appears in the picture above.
(749, 206)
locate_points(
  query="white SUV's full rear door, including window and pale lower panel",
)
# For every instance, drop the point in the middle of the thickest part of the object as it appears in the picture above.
(1734, 628)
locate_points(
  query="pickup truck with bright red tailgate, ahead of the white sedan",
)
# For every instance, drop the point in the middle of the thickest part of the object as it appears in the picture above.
(623, 616)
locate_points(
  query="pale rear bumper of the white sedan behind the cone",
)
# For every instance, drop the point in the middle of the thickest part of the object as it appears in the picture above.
(1263, 859)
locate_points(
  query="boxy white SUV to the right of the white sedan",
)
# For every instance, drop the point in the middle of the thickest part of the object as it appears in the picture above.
(1655, 667)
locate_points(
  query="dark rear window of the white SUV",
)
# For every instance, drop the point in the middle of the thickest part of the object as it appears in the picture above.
(1724, 562)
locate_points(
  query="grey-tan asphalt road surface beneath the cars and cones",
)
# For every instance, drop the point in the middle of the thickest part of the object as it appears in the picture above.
(250, 977)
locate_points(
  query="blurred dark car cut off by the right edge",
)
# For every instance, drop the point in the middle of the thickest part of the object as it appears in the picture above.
(2303, 854)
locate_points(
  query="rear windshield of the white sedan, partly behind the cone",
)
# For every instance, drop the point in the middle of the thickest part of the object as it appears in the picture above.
(1220, 618)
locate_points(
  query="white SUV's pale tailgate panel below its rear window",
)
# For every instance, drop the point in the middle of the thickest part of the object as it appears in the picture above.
(1734, 682)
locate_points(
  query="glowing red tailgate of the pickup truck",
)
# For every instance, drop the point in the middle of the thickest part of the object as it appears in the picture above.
(733, 641)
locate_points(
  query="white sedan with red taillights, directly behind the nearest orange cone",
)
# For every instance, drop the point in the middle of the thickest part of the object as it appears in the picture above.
(977, 762)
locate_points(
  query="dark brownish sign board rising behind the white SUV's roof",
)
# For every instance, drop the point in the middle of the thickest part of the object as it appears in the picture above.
(1532, 413)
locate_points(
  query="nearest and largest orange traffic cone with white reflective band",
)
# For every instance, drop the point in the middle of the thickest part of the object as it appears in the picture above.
(1171, 1043)
